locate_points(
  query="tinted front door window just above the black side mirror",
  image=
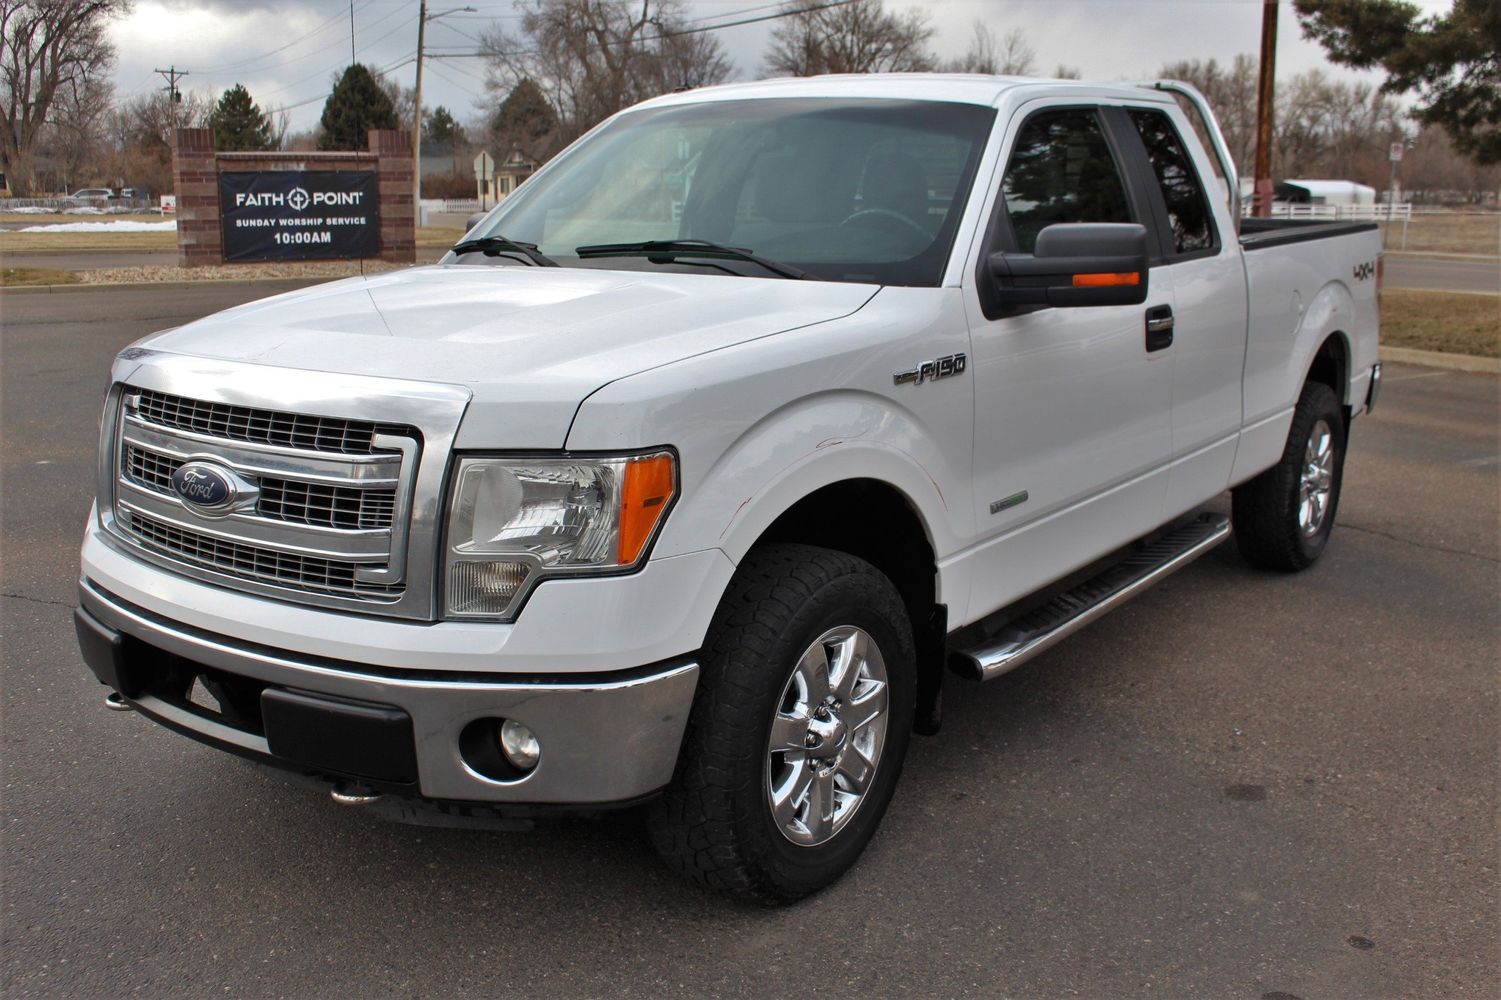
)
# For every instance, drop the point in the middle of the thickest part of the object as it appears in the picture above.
(1062, 170)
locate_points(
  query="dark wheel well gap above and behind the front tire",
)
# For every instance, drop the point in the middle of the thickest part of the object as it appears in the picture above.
(876, 522)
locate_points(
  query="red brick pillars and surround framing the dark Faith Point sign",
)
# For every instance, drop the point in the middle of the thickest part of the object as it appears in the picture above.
(197, 167)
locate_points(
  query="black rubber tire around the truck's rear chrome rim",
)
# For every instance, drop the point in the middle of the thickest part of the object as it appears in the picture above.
(1268, 511)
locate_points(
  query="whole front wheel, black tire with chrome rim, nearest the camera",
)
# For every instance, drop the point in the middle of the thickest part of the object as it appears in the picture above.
(799, 727)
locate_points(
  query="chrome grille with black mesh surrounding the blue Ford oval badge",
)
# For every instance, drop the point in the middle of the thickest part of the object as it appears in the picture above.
(326, 501)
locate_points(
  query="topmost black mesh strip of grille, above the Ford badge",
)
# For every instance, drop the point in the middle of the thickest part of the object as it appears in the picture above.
(266, 427)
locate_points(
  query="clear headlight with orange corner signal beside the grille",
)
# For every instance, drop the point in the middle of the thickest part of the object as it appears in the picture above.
(520, 520)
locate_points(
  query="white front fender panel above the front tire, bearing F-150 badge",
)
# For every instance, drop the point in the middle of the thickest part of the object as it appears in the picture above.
(765, 424)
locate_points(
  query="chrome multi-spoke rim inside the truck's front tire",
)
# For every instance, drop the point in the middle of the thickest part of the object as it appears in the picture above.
(828, 736)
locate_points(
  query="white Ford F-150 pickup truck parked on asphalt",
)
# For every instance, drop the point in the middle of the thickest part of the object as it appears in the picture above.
(690, 474)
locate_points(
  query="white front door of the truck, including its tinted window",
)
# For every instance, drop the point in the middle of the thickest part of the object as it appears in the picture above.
(1072, 412)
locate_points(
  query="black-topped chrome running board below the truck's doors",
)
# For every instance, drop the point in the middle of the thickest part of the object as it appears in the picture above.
(1072, 610)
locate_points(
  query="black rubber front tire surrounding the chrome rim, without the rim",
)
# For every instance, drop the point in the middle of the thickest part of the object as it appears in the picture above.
(715, 822)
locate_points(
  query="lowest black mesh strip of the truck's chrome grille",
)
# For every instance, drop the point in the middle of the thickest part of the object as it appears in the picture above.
(250, 562)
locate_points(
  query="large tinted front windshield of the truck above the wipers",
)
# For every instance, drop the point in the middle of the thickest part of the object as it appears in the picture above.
(867, 191)
